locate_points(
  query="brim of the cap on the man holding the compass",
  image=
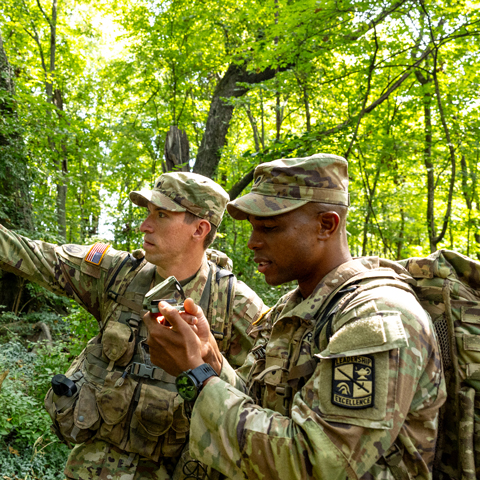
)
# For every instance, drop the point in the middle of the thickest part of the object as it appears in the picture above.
(262, 206)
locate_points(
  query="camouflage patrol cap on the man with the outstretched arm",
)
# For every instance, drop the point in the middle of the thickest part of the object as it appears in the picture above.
(184, 191)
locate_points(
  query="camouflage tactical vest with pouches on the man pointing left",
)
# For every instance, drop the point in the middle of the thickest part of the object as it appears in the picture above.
(120, 396)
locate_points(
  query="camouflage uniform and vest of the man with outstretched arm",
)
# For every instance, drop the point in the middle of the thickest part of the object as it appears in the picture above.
(158, 427)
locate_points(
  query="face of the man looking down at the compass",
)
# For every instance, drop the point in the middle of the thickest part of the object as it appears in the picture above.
(285, 247)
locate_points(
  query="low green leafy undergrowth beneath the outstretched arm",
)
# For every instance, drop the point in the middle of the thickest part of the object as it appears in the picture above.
(28, 448)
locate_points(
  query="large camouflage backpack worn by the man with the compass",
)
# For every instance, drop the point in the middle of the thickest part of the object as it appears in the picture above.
(448, 286)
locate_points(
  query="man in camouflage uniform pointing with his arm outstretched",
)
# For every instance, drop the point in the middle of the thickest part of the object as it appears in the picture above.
(126, 417)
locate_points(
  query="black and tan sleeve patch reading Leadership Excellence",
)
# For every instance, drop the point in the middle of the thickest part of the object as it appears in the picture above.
(353, 382)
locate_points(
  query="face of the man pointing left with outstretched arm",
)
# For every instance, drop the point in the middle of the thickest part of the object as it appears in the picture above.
(167, 236)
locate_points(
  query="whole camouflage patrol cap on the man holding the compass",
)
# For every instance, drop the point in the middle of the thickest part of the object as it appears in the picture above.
(284, 185)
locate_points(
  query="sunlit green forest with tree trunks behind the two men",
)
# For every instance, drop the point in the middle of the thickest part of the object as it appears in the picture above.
(89, 90)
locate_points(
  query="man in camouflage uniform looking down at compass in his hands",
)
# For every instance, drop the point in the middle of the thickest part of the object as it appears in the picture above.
(345, 380)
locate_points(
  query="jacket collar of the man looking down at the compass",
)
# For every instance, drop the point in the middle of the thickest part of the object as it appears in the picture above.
(305, 309)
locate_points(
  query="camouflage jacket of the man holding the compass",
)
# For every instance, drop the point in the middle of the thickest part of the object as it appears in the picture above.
(374, 392)
